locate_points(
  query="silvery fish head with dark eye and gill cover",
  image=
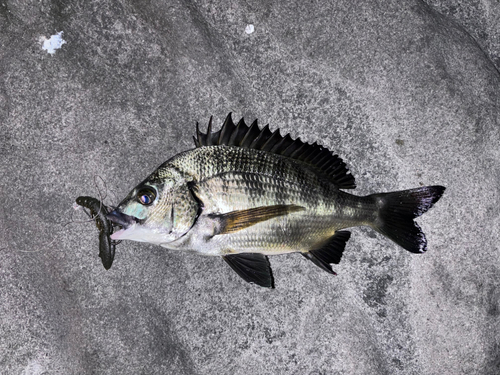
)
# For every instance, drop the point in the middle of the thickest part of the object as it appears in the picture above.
(159, 210)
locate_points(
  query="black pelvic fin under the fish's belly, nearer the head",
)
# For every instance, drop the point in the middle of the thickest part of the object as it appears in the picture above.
(252, 267)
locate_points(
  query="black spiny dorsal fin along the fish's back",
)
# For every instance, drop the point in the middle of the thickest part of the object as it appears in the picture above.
(242, 135)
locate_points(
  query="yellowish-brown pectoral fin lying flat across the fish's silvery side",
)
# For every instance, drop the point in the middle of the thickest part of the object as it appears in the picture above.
(237, 220)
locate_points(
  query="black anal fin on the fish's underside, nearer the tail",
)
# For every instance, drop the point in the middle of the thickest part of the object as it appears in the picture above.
(330, 252)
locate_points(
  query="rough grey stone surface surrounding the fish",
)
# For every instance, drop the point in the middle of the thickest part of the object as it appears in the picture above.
(402, 92)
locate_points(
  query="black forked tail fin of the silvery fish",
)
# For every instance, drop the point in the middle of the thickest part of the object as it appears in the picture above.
(397, 210)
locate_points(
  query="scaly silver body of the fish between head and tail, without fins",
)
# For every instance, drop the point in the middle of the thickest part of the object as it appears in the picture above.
(214, 168)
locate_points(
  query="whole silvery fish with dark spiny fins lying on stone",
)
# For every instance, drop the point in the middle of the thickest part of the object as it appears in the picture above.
(245, 193)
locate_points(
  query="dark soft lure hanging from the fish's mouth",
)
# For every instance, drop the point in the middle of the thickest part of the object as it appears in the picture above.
(98, 212)
